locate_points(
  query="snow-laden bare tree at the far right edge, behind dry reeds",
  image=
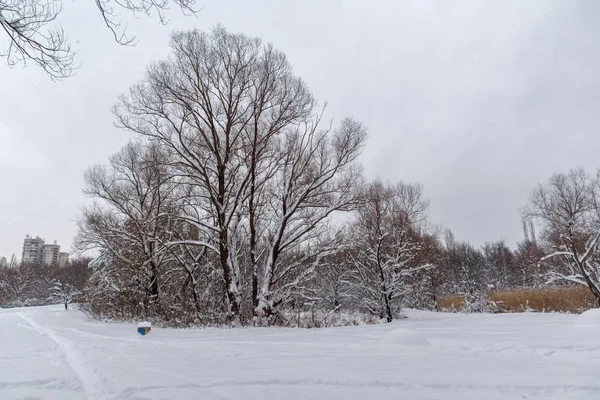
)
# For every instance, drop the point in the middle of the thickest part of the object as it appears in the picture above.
(568, 206)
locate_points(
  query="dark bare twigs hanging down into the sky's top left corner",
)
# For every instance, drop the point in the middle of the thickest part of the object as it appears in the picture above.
(33, 34)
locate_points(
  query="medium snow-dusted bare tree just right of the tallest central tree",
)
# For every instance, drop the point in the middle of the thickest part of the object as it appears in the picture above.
(385, 242)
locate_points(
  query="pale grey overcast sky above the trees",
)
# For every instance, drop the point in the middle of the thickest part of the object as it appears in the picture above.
(477, 100)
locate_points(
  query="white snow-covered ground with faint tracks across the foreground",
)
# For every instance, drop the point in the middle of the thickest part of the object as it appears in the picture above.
(47, 353)
